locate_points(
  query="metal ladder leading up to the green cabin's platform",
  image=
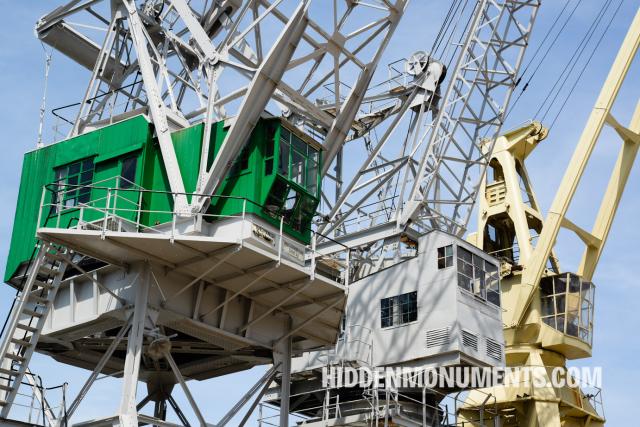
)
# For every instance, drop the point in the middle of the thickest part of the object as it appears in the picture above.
(27, 319)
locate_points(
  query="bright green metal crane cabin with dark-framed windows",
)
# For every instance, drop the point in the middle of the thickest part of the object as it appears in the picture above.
(276, 176)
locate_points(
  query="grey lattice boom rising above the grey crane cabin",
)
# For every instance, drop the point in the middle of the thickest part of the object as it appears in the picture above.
(430, 177)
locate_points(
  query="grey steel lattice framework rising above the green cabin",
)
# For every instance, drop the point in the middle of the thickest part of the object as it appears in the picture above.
(183, 62)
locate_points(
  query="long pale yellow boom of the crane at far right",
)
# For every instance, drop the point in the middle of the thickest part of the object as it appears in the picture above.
(556, 217)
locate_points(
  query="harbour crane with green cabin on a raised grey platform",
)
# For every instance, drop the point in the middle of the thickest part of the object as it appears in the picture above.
(190, 106)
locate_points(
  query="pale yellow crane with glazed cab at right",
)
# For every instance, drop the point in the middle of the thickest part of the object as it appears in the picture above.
(548, 313)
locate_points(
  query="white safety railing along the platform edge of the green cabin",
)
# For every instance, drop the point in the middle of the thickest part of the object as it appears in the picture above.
(118, 205)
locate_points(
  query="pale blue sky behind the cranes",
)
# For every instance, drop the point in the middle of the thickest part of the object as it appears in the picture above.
(617, 290)
